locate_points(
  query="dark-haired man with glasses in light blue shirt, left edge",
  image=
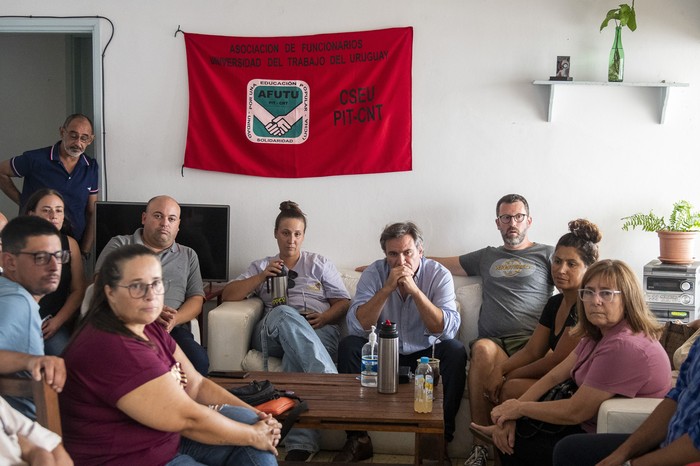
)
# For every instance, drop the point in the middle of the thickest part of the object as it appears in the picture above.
(32, 259)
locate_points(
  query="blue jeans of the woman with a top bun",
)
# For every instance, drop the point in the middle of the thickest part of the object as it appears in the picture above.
(284, 333)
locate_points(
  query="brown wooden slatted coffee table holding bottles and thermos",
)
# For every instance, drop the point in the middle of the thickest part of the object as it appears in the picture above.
(338, 401)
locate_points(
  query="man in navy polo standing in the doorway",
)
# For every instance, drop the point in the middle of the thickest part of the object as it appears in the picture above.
(65, 168)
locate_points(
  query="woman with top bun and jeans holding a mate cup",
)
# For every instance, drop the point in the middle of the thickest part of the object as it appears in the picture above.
(304, 331)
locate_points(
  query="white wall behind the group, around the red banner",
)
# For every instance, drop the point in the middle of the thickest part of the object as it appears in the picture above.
(479, 123)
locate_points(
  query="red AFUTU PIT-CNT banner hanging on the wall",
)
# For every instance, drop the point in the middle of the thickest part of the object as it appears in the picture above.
(294, 107)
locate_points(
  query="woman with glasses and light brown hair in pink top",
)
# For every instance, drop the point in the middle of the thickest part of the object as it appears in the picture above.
(619, 355)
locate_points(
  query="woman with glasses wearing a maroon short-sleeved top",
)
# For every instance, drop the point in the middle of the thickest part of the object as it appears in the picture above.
(132, 396)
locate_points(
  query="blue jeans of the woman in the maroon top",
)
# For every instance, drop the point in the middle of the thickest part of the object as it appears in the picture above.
(195, 453)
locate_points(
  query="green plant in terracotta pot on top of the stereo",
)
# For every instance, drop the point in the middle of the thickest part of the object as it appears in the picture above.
(677, 237)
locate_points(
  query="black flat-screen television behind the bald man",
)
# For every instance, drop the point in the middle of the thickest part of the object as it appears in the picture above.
(203, 227)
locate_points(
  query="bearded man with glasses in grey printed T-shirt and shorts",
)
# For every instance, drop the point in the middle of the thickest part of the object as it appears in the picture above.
(516, 285)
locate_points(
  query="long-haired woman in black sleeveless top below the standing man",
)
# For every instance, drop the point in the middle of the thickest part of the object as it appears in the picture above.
(58, 309)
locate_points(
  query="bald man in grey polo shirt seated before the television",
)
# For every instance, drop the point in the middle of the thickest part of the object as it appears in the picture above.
(184, 295)
